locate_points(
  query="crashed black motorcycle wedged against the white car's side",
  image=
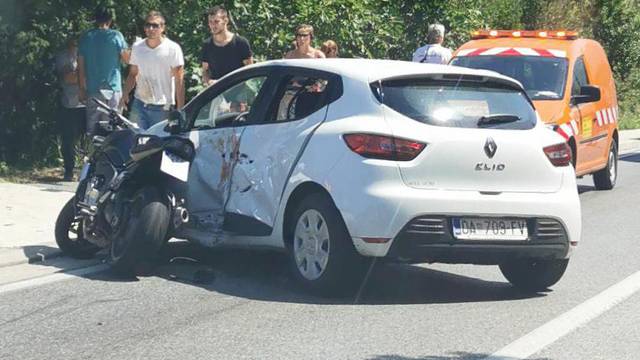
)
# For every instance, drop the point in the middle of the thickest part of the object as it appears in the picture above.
(123, 201)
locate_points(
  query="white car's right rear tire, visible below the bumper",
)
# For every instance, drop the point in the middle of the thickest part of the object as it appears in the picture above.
(534, 275)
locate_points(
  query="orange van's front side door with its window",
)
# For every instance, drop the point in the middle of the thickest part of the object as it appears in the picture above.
(592, 136)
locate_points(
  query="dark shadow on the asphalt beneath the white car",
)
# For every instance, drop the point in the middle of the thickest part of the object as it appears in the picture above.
(264, 276)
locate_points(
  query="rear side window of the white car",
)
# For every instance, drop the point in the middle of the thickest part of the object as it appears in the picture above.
(299, 97)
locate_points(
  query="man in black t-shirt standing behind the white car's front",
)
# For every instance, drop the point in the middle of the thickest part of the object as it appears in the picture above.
(224, 51)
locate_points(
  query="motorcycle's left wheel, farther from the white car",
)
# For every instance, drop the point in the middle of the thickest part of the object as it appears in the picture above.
(75, 246)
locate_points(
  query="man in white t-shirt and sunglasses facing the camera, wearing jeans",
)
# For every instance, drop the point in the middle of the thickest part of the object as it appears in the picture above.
(156, 69)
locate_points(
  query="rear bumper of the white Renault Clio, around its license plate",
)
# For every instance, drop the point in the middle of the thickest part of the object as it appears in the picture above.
(376, 204)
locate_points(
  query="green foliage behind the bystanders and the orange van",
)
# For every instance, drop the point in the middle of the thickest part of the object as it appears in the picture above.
(32, 31)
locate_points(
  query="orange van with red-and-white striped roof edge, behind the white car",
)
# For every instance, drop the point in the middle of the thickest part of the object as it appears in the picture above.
(571, 85)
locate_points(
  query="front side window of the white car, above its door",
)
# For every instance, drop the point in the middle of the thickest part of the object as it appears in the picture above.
(229, 105)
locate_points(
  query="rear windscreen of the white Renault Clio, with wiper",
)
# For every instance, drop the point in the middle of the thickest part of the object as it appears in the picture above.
(458, 103)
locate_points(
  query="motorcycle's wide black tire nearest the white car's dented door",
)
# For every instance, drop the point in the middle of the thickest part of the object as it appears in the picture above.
(142, 234)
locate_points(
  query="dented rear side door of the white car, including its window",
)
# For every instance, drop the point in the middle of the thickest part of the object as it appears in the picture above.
(270, 148)
